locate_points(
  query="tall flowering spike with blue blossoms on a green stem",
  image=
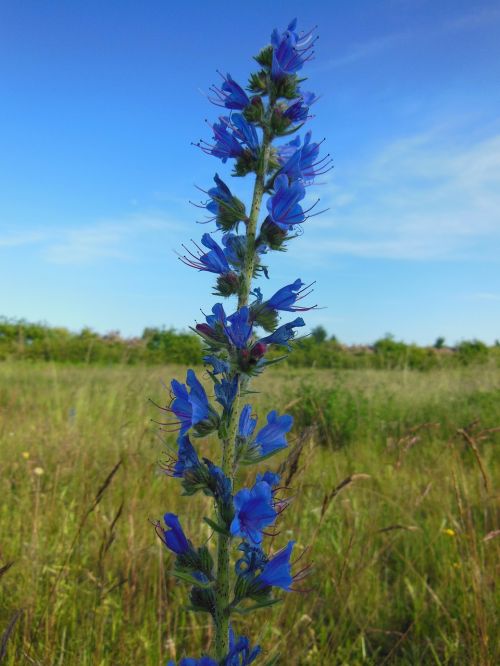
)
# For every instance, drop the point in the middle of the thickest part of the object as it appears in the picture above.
(242, 577)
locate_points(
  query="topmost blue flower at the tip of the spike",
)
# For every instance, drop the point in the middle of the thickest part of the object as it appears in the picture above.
(290, 51)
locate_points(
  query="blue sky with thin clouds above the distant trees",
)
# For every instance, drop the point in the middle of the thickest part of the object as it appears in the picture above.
(100, 104)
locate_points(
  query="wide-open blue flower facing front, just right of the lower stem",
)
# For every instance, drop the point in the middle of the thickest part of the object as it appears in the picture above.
(253, 511)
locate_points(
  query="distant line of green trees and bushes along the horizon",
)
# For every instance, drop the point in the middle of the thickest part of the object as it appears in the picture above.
(20, 339)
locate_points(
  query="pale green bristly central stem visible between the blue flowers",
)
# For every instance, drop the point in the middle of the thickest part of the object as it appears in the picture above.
(223, 579)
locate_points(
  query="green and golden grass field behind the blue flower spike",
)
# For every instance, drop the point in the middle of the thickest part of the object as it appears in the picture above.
(404, 552)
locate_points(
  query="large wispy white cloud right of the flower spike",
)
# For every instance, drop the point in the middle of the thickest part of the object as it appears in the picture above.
(422, 197)
